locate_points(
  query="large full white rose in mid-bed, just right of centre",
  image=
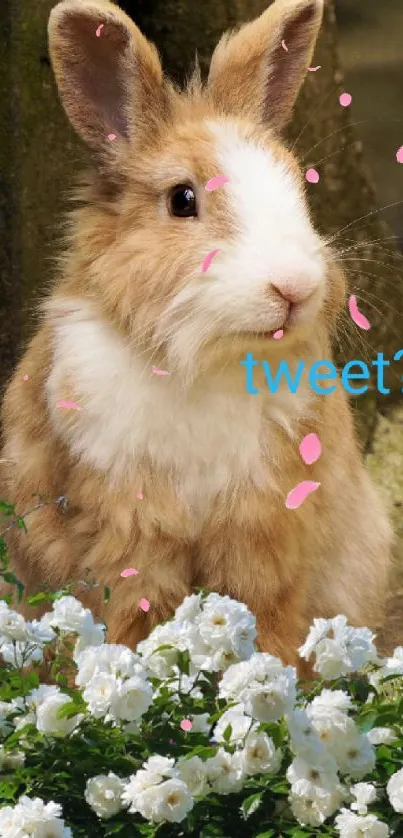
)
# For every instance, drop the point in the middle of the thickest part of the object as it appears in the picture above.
(265, 687)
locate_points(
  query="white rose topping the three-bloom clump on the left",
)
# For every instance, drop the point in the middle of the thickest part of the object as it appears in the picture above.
(109, 659)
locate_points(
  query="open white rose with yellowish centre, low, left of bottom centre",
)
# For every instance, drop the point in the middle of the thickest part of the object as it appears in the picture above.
(169, 801)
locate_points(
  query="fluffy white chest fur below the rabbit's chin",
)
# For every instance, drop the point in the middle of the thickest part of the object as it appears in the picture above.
(206, 438)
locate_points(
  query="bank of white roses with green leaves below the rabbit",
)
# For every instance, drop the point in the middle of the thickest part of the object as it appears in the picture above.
(258, 751)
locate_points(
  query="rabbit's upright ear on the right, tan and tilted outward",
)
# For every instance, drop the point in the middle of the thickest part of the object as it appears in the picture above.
(258, 71)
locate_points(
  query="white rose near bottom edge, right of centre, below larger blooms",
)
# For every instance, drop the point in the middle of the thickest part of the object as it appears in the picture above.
(311, 804)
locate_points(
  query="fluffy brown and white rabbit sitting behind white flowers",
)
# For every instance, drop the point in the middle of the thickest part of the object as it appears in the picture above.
(184, 476)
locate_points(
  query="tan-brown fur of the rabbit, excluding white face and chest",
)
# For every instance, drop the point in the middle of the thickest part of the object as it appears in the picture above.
(126, 259)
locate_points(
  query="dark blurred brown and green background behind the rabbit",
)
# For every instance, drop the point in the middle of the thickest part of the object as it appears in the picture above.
(358, 200)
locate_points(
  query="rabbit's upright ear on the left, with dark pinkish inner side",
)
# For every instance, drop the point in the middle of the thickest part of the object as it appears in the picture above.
(109, 76)
